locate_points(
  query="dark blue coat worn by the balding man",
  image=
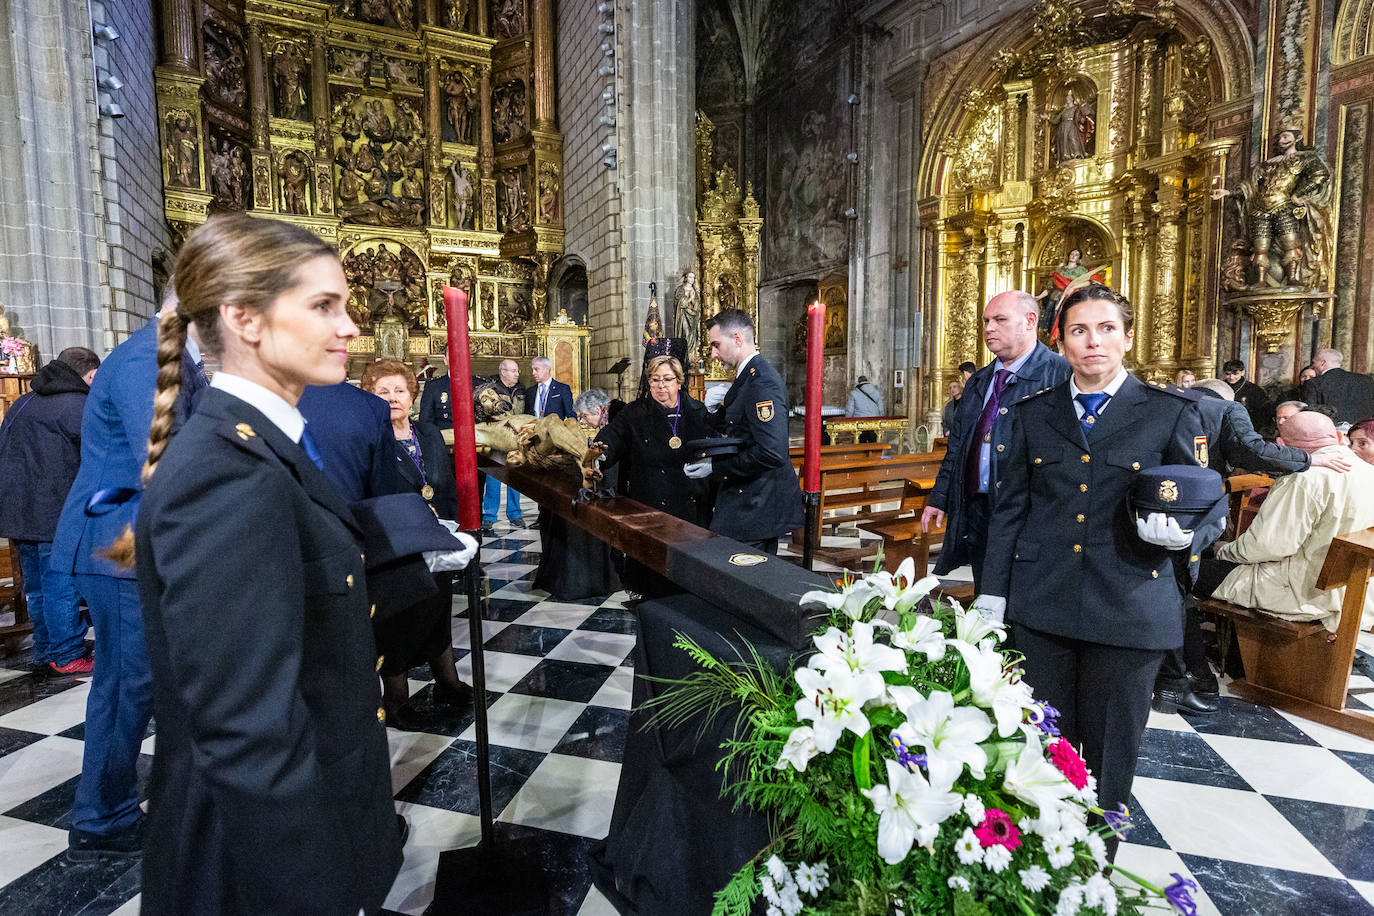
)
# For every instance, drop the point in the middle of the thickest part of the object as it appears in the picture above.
(1044, 369)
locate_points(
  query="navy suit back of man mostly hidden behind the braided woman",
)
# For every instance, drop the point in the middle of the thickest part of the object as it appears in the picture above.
(354, 432)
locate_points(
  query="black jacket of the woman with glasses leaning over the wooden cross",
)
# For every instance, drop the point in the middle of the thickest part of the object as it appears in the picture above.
(638, 442)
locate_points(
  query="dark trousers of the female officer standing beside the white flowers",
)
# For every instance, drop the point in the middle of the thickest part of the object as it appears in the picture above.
(1104, 697)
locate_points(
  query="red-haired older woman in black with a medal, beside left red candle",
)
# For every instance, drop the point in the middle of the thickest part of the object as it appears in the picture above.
(423, 632)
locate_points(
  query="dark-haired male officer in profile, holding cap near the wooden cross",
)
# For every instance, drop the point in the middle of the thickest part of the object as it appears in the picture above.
(759, 496)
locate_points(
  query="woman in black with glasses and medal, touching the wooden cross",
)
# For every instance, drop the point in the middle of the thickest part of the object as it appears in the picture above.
(652, 435)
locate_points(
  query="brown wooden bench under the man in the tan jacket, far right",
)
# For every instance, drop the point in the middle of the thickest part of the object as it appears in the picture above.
(1300, 667)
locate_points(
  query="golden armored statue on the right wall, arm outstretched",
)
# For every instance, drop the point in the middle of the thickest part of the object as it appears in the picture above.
(1285, 207)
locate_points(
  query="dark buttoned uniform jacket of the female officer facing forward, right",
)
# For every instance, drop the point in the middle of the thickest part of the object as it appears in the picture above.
(1063, 543)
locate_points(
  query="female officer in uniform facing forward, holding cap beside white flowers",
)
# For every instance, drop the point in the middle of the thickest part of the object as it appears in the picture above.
(1094, 606)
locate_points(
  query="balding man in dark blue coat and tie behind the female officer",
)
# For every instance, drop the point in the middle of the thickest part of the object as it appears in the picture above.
(965, 494)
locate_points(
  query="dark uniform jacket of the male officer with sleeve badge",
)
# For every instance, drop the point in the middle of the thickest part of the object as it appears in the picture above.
(759, 496)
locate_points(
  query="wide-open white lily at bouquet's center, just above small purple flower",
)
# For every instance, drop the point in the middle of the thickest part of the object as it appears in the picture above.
(947, 734)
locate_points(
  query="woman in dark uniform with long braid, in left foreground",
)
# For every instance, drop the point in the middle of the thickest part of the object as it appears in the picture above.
(271, 782)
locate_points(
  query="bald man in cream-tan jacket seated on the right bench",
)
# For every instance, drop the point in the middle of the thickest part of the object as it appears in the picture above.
(1273, 566)
